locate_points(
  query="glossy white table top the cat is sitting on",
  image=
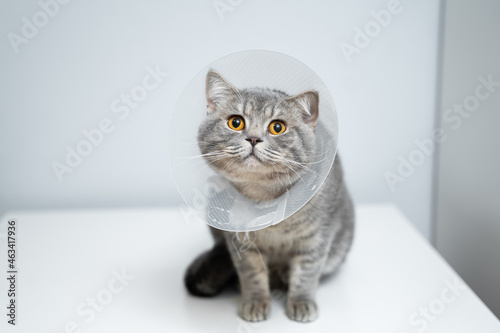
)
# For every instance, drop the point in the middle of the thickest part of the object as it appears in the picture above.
(67, 257)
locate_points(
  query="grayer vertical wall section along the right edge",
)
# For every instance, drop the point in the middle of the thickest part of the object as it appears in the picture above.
(468, 211)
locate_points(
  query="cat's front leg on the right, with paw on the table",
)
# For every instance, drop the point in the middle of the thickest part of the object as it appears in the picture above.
(305, 272)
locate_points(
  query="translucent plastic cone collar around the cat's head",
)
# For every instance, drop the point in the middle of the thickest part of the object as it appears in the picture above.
(212, 197)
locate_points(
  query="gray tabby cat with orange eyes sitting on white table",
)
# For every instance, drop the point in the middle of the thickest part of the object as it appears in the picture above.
(262, 140)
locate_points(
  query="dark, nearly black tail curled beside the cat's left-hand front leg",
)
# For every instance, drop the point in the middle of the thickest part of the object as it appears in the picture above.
(211, 272)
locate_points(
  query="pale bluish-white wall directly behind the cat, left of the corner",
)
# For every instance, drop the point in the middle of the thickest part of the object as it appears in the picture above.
(65, 78)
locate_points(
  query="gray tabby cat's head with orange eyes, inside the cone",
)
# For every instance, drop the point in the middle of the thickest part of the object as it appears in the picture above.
(261, 140)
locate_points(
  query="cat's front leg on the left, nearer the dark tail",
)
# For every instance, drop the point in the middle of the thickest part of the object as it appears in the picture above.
(252, 271)
